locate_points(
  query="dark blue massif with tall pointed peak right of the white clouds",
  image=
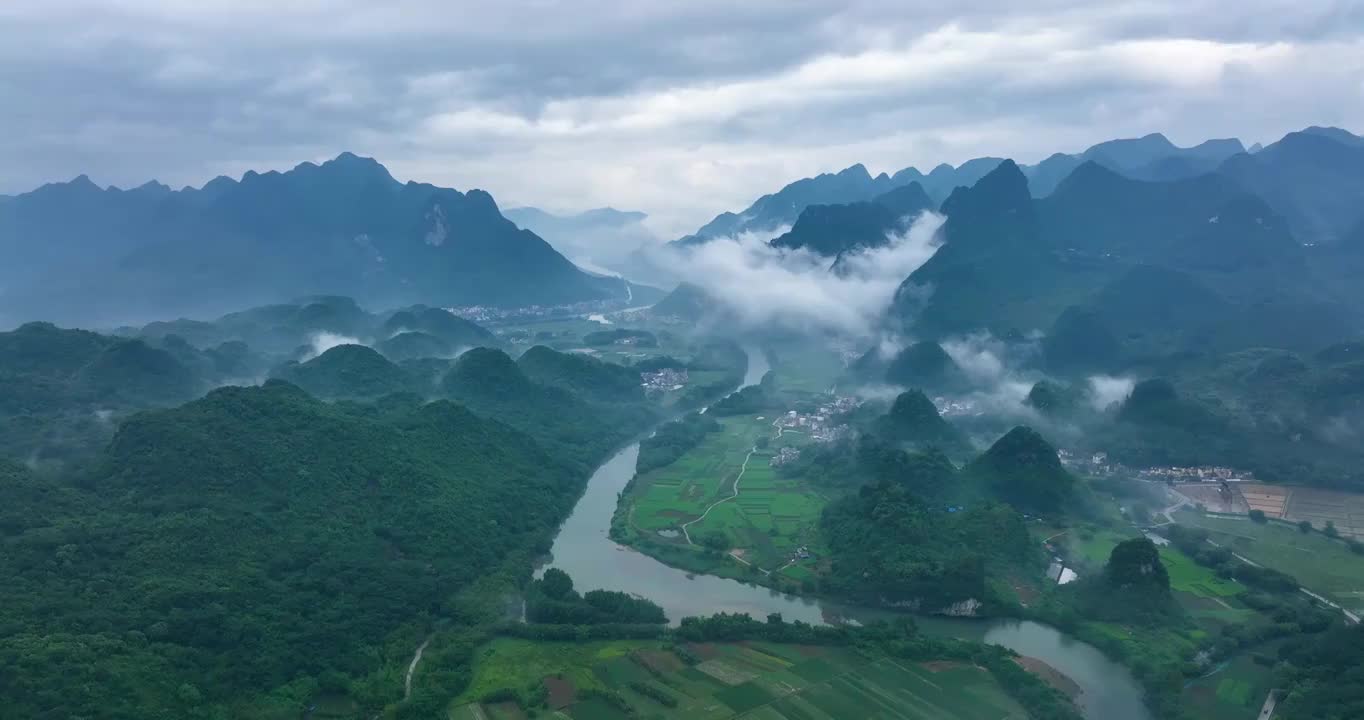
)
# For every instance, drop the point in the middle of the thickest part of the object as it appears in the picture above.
(1011, 264)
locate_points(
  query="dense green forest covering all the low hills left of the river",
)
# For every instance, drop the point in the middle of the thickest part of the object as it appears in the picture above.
(248, 552)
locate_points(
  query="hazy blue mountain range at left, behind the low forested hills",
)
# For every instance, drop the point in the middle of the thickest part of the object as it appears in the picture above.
(80, 253)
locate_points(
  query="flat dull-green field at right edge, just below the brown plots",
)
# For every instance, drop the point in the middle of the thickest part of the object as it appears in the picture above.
(1324, 565)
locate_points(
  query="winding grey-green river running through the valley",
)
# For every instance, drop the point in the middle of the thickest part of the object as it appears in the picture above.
(584, 552)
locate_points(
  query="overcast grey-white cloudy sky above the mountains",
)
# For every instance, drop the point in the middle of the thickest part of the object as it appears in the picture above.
(681, 110)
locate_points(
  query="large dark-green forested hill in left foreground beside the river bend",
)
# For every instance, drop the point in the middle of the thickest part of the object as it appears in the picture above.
(257, 541)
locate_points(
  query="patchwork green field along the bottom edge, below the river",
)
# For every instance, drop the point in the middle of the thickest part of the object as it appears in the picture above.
(756, 681)
